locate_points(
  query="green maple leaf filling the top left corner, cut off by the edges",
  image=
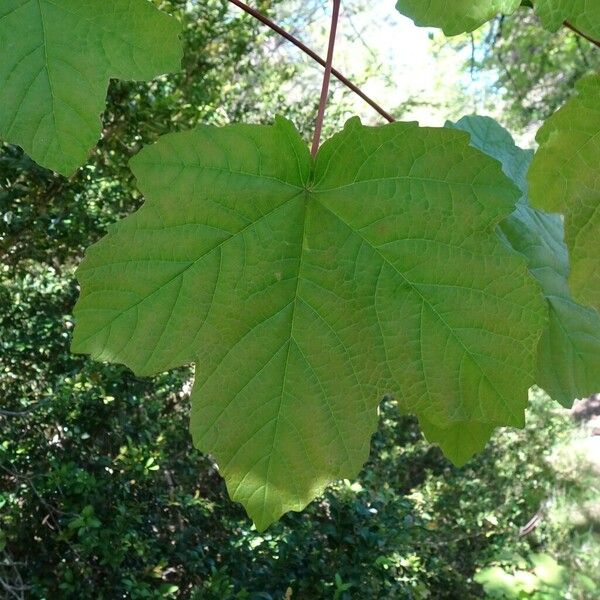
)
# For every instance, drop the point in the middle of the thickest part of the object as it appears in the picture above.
(56, 61)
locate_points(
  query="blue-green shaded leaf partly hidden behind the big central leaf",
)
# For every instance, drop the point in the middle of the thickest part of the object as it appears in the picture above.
(569, 350)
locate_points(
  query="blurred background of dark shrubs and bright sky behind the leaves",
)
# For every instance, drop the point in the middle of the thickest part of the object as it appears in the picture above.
(102, 495)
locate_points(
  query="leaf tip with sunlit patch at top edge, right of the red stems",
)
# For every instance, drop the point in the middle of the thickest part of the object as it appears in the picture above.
(460, 17)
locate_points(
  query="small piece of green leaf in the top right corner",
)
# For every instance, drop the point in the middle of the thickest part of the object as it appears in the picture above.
(583, 14)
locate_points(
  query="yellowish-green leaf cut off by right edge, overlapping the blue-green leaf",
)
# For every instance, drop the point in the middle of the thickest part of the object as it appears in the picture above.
(564, 177)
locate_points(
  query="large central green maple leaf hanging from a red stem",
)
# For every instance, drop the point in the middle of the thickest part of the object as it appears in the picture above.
(305, 290)
